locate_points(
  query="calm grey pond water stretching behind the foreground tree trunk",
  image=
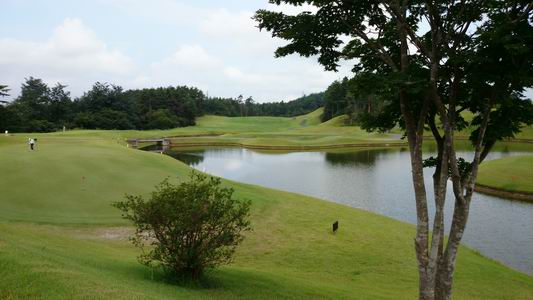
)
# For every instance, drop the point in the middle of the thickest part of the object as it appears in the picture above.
(377, 181)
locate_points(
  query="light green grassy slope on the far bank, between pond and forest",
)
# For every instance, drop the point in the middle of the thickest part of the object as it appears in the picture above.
(273, 131)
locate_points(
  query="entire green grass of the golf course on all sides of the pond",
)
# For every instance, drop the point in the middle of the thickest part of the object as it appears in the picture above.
(60, 238)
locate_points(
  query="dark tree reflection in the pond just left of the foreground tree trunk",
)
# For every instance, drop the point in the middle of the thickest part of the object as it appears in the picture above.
(356, 158)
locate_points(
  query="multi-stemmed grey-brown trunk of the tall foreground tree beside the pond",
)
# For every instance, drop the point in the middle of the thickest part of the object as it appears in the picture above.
(436, 261)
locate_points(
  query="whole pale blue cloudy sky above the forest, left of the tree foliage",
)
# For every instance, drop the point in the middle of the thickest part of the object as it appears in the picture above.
(212, 45)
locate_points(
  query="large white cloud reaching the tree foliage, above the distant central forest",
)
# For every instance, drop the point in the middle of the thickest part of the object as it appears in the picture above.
(236, 58)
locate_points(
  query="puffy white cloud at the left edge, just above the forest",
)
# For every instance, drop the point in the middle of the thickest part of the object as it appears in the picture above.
(72, 55)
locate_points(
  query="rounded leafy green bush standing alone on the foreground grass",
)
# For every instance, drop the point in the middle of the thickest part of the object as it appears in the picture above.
(188, 227)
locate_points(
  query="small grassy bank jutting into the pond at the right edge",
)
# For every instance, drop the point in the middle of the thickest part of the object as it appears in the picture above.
(510, 173)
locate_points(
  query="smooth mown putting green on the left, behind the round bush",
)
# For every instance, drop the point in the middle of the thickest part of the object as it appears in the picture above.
(73, 180)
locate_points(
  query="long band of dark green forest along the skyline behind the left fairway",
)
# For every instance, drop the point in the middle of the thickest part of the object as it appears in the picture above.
(40, 108)
